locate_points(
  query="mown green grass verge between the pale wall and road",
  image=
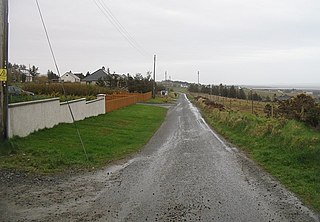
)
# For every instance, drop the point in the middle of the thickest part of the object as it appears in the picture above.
(107, 137)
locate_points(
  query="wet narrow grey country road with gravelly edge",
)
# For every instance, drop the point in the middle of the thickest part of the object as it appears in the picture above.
(185, 173)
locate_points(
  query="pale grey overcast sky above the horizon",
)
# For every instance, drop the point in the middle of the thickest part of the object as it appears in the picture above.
(260, 42)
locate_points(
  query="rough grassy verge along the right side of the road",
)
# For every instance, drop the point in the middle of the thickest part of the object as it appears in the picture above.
(287, 149)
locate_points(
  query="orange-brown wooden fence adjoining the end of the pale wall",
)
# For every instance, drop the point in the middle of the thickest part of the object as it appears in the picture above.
(117, 101)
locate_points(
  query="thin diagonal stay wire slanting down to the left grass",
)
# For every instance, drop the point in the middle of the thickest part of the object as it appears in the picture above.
(58, 71)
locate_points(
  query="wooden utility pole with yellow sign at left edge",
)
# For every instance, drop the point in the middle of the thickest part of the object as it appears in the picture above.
(3, 68)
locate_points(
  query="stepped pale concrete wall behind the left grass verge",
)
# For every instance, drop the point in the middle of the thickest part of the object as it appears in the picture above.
(28, 117)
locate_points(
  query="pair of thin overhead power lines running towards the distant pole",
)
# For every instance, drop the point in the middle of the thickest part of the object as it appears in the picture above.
(107, 13)
